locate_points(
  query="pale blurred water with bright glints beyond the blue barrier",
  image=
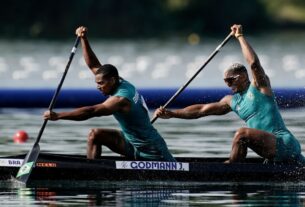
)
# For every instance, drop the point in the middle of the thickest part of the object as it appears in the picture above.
(150, 63)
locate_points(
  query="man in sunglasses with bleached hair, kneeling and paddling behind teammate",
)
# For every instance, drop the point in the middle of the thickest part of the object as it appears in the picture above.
(254, 102)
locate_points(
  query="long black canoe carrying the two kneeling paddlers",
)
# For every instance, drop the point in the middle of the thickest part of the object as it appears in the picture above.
(113, 168)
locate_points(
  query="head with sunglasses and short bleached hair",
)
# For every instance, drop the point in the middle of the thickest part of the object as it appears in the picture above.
(236, 77)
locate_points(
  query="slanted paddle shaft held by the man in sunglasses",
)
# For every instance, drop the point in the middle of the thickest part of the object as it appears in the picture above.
(192, 78)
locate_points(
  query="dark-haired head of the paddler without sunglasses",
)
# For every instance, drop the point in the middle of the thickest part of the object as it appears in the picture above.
(107, 79)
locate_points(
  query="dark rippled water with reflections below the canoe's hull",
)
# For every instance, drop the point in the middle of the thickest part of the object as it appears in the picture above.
(154, 194)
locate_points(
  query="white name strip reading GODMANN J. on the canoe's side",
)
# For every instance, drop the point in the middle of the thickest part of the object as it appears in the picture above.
(152, 165)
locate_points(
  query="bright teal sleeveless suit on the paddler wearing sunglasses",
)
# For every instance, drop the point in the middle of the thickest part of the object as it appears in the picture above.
(261, 112)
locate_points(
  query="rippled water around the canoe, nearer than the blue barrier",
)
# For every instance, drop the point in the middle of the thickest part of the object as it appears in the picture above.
(206, 137)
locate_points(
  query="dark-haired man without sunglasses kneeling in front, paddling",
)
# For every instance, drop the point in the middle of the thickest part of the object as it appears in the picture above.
(137, 139)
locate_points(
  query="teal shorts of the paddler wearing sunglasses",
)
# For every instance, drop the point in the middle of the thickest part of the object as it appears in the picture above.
(288, 149)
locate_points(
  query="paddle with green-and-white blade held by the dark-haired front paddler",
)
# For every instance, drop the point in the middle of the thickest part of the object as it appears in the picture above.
(31, 158)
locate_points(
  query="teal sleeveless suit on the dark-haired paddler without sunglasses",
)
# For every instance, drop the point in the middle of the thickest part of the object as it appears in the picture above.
(136, 125)
